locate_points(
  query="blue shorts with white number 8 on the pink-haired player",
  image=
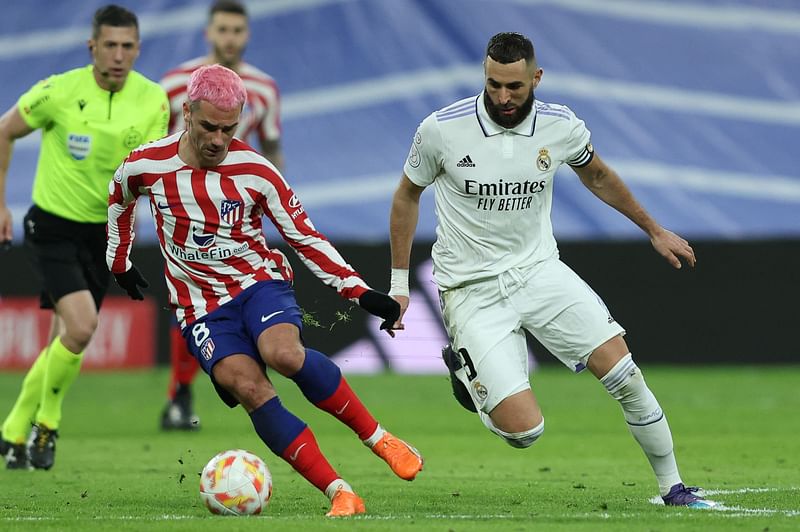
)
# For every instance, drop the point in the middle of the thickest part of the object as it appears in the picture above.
(234, 328)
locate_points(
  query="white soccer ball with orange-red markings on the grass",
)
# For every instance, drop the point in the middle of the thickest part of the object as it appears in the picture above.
(236, 482)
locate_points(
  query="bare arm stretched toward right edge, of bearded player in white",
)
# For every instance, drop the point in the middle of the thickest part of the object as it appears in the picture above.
(606, 184)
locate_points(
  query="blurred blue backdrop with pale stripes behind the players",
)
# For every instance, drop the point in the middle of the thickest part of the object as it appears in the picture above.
(697, 104)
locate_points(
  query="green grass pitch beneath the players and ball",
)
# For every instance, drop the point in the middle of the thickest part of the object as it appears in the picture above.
(736, 429)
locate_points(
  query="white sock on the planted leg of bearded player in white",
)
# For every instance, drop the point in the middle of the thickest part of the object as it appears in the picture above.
(646, 420)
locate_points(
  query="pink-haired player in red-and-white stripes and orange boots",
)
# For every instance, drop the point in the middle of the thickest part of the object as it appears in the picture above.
(232, 293)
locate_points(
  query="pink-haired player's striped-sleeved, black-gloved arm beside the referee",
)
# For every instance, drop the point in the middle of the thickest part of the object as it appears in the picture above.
(122, 193)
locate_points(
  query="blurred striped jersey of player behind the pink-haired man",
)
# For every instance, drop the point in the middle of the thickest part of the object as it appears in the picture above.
(261, 113)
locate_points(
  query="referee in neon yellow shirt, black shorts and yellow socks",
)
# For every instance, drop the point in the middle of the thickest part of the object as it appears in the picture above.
(91, 118)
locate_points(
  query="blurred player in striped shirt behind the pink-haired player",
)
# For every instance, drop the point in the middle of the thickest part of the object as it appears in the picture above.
(227, 34)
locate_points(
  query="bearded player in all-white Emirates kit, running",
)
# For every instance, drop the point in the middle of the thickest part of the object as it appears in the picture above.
(492, 159)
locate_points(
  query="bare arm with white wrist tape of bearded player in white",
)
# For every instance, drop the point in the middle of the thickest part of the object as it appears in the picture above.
(402, 225)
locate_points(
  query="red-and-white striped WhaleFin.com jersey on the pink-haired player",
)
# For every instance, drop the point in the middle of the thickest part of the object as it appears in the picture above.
(209, 226)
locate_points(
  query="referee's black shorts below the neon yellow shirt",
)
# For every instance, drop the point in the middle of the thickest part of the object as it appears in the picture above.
(67, 256)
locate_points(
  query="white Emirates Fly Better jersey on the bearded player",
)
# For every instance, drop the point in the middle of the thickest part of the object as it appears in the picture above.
(493, 186)
